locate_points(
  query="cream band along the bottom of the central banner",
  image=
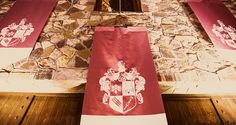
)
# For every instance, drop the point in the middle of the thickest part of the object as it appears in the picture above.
(155, 119)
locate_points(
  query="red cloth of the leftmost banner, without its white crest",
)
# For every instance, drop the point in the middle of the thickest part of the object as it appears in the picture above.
(35, 12)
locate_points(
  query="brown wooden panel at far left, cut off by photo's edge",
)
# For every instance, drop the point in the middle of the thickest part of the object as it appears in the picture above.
(13, 108)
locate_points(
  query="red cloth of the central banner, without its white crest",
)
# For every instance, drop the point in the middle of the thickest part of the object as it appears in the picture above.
(111, 45)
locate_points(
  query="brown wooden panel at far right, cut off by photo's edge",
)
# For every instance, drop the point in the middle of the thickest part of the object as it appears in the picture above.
(226, 107)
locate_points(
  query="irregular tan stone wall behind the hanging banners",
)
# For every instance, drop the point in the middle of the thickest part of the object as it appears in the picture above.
(181, 49)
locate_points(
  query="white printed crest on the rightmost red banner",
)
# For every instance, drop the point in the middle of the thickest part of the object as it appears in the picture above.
(227, 34)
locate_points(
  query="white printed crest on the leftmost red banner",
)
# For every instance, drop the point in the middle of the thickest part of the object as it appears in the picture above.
(14, 34)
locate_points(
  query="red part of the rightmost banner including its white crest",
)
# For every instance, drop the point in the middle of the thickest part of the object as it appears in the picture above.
(218, 22)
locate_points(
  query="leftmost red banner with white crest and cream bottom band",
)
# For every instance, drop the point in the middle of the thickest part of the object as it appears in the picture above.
(21, 27)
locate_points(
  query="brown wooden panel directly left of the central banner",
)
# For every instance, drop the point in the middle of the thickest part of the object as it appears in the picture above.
(60, 109)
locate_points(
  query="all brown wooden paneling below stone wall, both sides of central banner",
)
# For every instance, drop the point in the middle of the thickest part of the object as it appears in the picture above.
(65, 109)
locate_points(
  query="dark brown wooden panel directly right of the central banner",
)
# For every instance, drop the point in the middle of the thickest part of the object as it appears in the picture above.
(190, 111)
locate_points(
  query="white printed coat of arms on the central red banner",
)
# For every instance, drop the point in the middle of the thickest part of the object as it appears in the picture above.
(122, 88)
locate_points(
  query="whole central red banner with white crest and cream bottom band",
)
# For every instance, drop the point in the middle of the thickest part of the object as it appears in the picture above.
(122, 85)
